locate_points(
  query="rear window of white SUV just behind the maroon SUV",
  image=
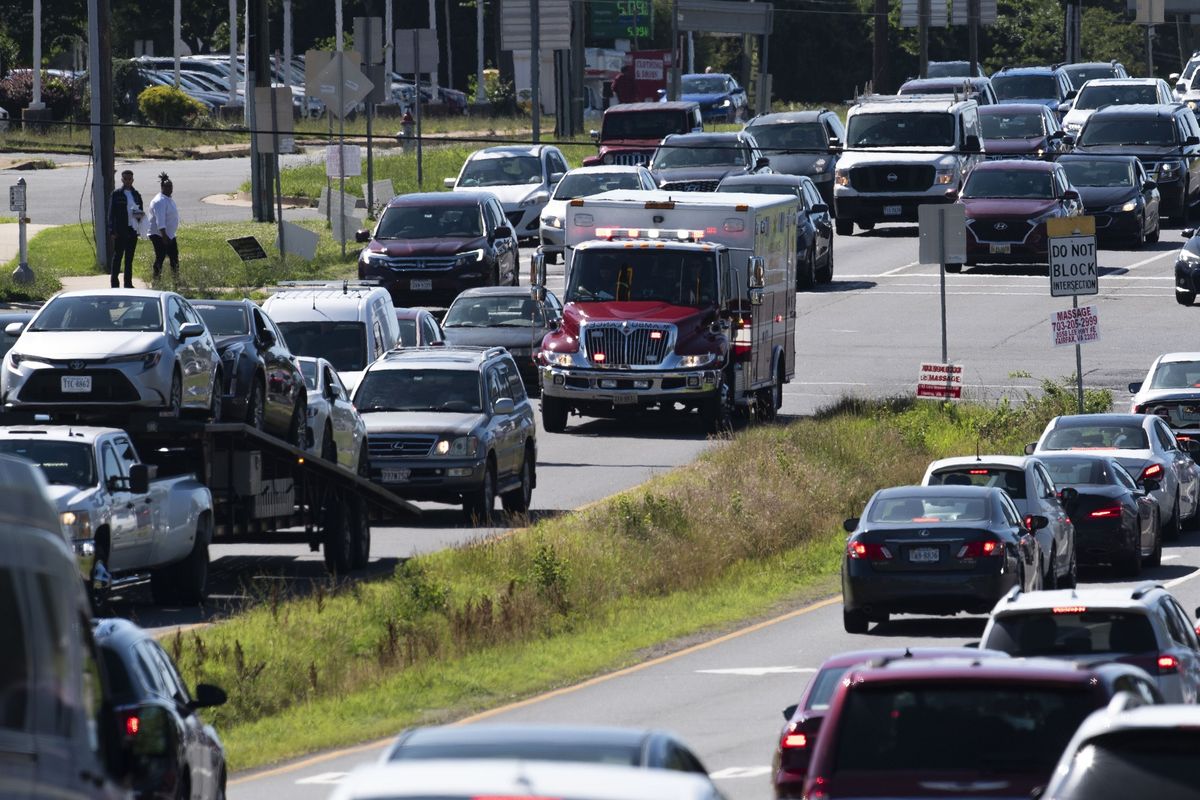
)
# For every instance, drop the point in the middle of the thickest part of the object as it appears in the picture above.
(1072, 630)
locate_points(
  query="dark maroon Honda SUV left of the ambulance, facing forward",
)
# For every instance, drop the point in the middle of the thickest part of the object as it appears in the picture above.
(429, 248)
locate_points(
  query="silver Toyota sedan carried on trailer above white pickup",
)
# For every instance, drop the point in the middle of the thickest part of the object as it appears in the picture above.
(117, 352)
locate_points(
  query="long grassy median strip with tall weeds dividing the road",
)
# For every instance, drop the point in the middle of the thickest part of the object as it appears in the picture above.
(752, 527)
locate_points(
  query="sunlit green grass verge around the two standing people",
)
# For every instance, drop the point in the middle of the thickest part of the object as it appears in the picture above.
(207, 261)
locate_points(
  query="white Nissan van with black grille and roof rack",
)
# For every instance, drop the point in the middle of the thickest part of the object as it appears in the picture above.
(902, 153)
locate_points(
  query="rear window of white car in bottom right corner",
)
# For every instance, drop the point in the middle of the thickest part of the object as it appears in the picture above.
(1160, 762)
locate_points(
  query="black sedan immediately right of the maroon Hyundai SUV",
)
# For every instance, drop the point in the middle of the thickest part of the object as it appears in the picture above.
(1119, 194)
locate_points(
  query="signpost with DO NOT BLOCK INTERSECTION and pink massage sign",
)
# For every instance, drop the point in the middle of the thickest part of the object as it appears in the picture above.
(1072, 245)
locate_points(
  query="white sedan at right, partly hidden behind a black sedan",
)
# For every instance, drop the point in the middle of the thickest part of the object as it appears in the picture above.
(1144, 446)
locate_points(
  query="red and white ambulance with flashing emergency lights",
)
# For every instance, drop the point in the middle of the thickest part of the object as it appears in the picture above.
(675, 302)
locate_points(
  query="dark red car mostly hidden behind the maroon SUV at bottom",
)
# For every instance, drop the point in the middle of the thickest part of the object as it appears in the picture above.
(802, 729)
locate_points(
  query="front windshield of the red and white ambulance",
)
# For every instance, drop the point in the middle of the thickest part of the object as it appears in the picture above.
(686, 279)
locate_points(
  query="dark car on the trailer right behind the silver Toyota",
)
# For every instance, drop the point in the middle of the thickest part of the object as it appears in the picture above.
(263, 384)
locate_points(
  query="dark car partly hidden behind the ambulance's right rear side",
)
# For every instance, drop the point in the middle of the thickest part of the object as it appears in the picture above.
(814, 228)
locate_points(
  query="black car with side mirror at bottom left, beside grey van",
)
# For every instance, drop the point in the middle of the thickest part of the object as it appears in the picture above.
(169, 751)
